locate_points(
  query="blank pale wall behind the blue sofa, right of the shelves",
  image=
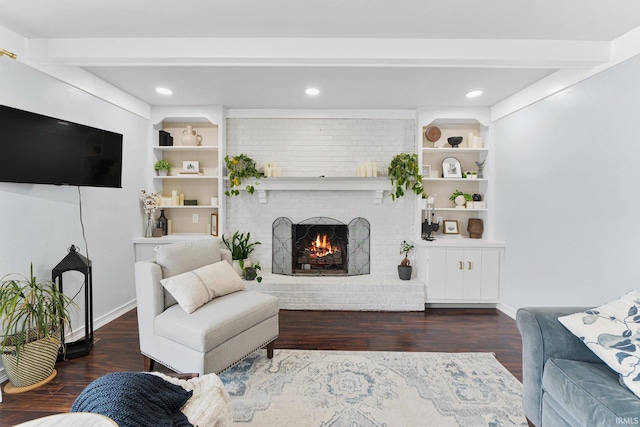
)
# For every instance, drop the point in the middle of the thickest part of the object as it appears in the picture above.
(567, 194)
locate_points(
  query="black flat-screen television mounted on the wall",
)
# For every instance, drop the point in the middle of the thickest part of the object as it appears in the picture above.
(43, 150)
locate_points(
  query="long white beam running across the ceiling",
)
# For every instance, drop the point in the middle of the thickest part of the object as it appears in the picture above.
(320, 52)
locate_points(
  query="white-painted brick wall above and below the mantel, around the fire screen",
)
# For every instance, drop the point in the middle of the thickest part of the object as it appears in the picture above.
(333, 147)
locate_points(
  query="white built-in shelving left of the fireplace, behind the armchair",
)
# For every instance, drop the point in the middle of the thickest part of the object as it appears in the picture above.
(206, 218)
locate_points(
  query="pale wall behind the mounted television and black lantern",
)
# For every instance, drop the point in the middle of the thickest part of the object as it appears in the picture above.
(39, 222)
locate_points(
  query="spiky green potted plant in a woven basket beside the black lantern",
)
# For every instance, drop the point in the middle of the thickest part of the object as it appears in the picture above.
(33, 313)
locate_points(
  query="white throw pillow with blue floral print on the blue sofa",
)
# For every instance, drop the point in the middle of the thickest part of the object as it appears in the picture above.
(612, 332)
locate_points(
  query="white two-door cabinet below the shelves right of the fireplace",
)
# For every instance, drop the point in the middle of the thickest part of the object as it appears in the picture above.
(459, 275)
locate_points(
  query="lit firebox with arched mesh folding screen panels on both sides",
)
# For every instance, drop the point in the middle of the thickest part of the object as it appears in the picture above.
(321, 246)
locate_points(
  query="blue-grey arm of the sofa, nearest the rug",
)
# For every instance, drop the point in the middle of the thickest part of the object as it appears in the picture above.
(543, 336)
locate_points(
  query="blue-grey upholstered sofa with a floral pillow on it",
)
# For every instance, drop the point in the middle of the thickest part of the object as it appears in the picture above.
(565, 383)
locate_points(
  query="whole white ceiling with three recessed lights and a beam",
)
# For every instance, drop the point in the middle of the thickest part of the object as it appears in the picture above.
(359, 53)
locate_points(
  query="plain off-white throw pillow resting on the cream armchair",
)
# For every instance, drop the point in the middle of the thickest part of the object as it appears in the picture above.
(194, 289)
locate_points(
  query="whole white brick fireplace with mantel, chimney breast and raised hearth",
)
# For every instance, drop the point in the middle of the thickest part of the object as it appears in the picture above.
(311, 148)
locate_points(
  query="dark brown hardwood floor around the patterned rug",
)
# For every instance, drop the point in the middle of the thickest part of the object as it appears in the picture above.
(436, 330)
